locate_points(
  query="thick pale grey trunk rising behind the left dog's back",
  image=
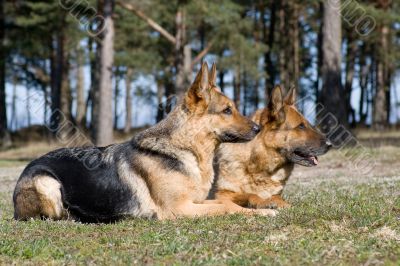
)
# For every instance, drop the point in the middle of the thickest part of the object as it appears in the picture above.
(102, 120)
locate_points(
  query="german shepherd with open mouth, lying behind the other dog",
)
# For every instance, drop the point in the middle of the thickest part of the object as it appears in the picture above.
(253, 174)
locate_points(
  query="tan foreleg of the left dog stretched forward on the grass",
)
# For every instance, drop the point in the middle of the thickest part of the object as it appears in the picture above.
(217, 207)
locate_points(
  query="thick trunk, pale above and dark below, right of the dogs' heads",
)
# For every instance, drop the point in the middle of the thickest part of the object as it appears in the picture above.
(332, 91)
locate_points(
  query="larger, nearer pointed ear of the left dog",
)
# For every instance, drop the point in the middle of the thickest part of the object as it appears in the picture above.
(199, 91)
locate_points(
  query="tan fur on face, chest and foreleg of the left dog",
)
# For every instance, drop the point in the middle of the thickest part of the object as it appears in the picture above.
(180, 195)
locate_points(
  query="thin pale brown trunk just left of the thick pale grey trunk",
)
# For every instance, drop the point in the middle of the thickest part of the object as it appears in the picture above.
(80, 90)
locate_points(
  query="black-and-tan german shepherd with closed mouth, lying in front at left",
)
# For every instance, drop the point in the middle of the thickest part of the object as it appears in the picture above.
(163, 172)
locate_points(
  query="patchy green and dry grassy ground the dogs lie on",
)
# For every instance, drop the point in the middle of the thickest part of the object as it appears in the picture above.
(341, 214)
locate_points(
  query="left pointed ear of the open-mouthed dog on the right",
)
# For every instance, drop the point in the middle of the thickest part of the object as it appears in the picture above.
(274, 110)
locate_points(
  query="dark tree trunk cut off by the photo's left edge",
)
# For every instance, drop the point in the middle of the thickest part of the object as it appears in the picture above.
(5, 140)
